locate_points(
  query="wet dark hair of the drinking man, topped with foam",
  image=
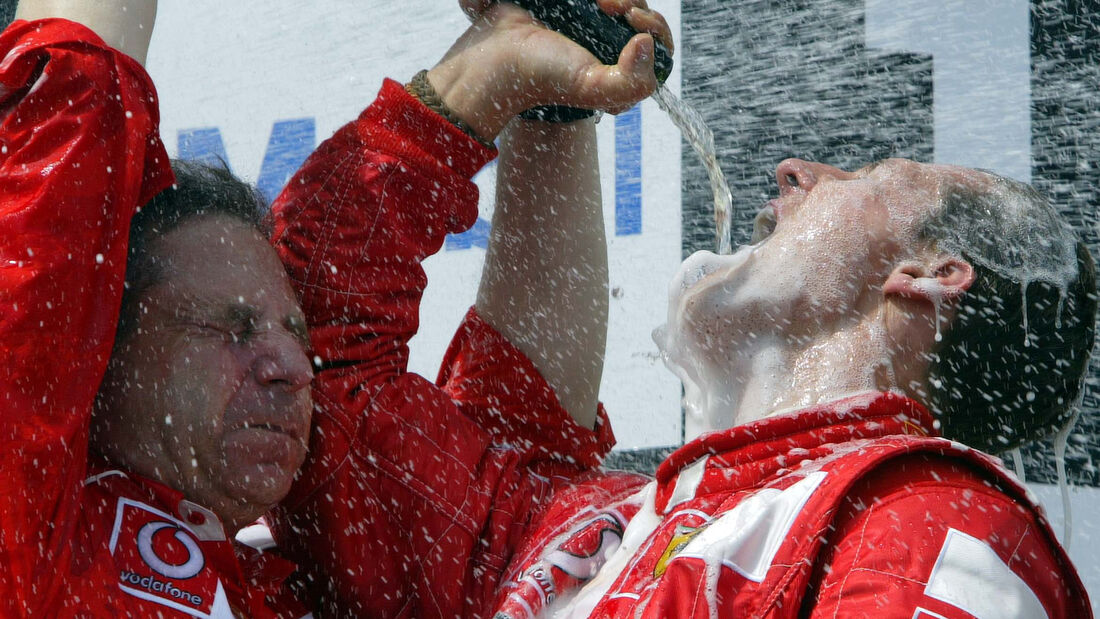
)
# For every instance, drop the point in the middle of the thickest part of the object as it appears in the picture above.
(1011, 368)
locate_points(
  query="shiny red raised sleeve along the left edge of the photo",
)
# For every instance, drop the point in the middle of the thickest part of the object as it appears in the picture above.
(79, 153)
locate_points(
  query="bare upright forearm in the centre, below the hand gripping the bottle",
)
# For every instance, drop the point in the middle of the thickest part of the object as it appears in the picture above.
(545, 281)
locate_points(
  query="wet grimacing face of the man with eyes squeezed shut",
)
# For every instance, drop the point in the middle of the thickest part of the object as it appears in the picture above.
(210, 392)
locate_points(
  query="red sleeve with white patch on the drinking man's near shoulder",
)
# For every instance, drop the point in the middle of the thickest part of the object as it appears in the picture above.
(931, 539)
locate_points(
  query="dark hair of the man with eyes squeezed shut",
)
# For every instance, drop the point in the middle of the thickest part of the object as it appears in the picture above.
(201, 190)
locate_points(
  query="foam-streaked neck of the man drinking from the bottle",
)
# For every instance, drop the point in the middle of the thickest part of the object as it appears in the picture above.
(774, 377)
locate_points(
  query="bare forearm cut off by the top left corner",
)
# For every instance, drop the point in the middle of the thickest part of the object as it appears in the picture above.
(124, 25)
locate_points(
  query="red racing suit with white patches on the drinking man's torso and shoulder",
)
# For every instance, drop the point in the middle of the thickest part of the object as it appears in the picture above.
(850, 510)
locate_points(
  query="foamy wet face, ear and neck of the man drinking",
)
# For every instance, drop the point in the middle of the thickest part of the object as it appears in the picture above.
(837, 289)
